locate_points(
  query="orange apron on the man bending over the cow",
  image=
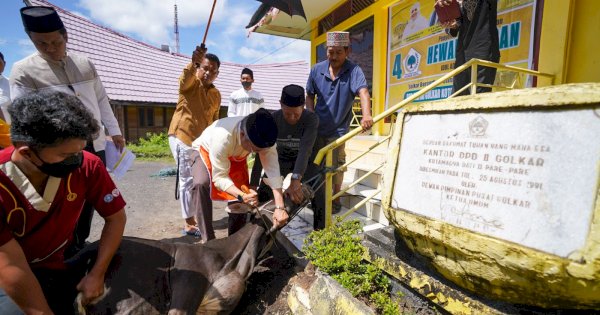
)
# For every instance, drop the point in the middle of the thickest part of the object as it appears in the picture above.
(238, 172)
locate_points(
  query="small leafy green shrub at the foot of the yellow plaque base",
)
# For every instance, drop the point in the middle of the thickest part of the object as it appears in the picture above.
(337, 251)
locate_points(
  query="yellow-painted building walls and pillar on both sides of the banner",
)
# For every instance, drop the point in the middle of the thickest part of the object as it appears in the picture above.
(569, 45)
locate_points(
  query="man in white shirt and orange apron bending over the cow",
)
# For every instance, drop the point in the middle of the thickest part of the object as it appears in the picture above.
(220, 172)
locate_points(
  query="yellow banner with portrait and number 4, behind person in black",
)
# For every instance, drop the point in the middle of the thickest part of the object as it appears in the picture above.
(421, 52)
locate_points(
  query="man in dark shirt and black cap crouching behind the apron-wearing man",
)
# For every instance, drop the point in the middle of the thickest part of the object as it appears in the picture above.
(295, 139)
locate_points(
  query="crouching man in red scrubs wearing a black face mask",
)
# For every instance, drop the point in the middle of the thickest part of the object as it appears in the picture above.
(45, 179)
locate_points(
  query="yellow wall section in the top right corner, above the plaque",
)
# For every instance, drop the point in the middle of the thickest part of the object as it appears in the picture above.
(569, 44)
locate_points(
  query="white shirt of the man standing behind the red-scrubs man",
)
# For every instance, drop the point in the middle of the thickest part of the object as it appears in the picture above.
(75, 75)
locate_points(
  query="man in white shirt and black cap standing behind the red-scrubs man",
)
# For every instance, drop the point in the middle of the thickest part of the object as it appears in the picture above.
(53, 68)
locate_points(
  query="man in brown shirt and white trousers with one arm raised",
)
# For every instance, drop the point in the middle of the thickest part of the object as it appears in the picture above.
(197, 107)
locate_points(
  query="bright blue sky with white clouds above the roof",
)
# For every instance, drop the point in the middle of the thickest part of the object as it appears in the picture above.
(151, 21)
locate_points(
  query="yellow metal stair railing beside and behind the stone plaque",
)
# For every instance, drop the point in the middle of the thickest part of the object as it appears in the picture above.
(327, 151)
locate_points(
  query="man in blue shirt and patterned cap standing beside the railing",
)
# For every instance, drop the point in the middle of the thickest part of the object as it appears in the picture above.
(337, 81)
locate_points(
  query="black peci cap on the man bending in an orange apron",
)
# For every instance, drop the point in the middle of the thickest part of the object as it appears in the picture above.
(261, 128)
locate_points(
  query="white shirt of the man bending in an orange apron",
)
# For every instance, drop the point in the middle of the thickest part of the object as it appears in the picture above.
(222, 140)
